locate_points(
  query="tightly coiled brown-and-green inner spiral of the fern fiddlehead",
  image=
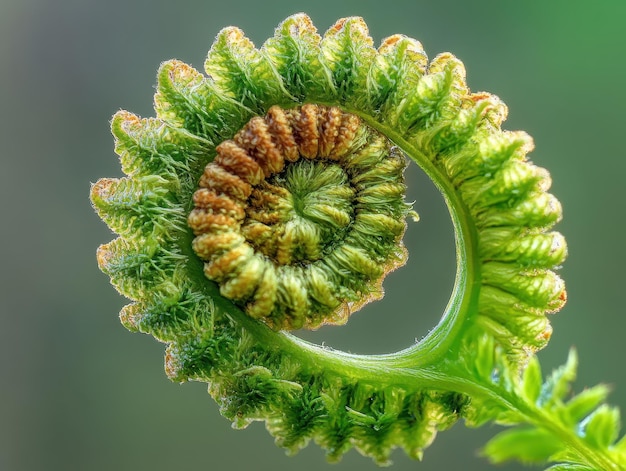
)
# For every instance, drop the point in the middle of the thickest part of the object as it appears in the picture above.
(300, 216)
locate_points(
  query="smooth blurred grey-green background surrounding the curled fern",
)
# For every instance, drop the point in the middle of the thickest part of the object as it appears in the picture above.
(80, 392)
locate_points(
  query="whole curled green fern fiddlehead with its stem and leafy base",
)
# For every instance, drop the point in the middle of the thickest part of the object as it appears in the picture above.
(268, 196)
